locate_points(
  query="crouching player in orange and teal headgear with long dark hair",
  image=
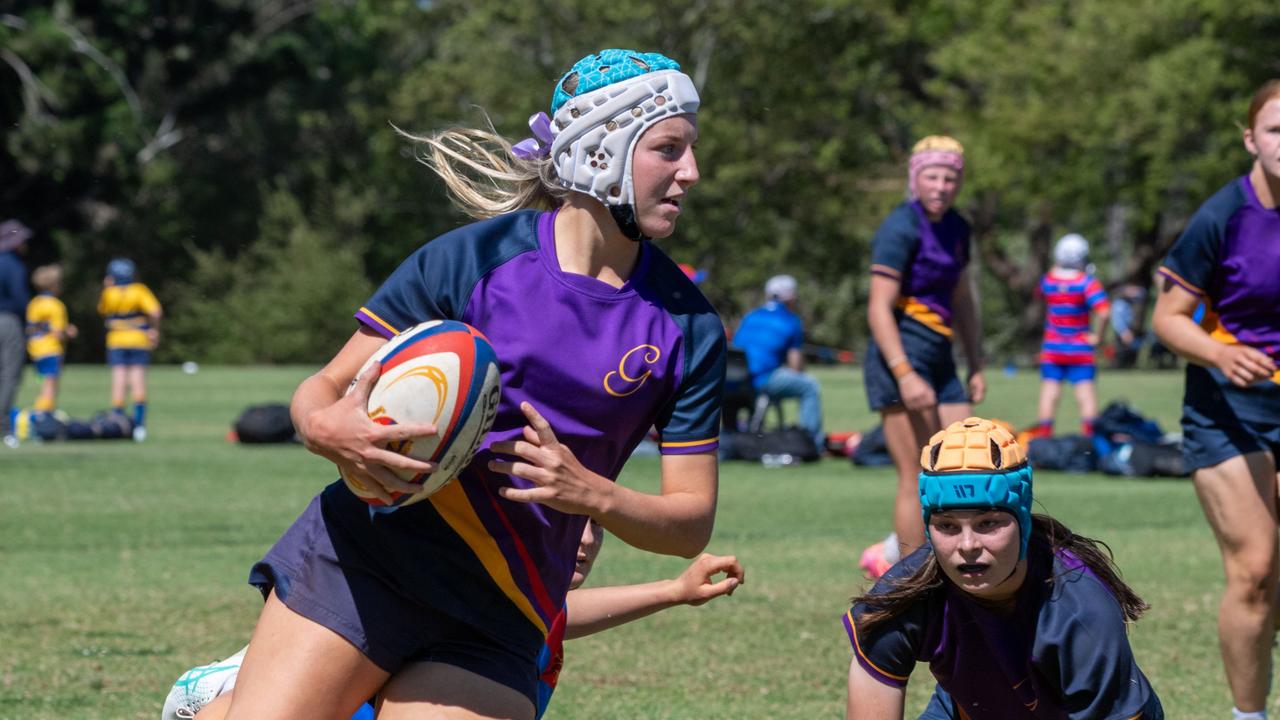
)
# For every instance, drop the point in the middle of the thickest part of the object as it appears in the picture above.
(1017, 616)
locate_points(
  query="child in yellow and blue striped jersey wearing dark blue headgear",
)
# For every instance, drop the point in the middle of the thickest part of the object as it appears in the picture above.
(132, 316)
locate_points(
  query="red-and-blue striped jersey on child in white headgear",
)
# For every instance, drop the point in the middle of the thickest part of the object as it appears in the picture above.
(1069, 298)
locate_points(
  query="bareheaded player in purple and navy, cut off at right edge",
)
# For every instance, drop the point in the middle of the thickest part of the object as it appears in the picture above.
(1229, 259)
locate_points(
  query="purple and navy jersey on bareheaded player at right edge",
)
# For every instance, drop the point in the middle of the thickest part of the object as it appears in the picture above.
(1229, 257)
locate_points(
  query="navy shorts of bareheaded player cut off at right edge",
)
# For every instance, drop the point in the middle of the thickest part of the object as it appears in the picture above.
(1222, 421)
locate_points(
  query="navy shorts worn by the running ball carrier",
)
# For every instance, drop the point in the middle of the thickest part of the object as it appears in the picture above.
(319, 572)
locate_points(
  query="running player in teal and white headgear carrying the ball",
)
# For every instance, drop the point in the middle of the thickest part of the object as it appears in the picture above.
(442, 608)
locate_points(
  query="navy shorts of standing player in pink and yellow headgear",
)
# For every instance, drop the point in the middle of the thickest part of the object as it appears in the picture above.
(930, 356)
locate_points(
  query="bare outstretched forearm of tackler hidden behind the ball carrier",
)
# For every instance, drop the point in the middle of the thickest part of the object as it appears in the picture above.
(592, 610)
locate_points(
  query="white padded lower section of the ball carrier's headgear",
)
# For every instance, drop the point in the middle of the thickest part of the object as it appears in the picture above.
(596, 134)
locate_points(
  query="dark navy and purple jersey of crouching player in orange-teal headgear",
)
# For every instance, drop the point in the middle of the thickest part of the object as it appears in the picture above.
(1063, 654)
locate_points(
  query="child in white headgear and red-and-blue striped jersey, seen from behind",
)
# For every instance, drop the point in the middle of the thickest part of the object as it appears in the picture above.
(1071, 295)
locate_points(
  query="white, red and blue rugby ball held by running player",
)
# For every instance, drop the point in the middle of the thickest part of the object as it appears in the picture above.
(445, 373)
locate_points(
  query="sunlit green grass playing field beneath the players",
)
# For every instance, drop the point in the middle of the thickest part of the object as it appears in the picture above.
(125, 564)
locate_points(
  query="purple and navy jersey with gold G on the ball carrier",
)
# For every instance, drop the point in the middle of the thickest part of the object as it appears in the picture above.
(602, 364)
